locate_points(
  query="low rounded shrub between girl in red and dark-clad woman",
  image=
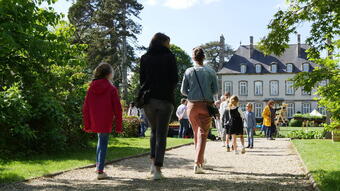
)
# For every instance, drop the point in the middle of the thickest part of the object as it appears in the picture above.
(131, 127)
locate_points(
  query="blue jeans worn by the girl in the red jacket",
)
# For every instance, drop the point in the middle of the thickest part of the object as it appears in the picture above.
(103, 139)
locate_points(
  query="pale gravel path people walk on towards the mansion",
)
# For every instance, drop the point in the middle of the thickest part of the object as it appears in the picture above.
(271, 165)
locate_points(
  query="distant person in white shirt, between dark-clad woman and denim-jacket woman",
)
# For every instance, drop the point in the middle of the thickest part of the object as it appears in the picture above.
(182, 115)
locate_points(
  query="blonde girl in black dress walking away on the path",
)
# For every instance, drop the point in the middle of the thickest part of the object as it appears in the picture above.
(233, 120)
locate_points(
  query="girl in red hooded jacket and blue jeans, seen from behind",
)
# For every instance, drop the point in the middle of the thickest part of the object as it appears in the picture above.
(101, 107)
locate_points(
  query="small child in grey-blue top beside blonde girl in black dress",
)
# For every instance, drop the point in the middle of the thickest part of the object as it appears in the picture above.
(250, 124)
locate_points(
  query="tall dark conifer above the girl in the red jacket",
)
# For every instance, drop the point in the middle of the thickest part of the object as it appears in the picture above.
(104, 25)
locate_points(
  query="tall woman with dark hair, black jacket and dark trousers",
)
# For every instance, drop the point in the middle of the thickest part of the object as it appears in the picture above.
(158, 76)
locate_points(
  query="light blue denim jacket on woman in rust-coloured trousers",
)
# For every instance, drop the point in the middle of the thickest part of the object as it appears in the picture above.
(208, 81)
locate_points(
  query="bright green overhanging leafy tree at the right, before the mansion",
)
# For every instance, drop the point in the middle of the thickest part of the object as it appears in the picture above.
(324, 33)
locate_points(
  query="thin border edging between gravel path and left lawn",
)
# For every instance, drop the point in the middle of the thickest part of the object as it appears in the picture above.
(51, 175)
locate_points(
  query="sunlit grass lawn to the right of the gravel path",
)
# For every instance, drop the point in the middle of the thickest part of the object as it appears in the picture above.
(322, 158)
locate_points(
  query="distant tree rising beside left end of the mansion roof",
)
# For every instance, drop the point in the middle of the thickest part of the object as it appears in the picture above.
(213, 50)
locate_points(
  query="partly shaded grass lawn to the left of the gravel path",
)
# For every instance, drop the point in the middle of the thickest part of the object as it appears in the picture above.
(38, 165)
